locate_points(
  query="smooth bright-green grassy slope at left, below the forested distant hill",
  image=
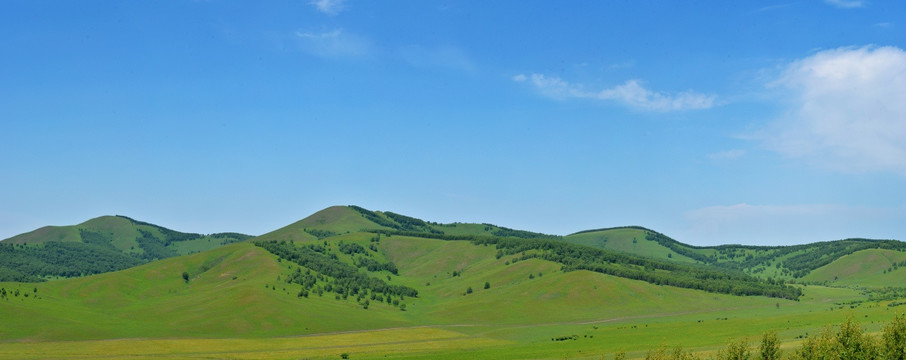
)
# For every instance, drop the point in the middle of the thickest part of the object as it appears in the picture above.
(153, 301)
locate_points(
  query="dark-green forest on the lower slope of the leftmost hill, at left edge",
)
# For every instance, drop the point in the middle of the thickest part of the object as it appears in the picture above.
(64, 259)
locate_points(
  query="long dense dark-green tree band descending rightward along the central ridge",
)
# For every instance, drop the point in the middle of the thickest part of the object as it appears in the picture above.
(659, 272)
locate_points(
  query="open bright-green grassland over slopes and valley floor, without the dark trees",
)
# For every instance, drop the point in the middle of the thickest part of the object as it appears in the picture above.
(237, 304)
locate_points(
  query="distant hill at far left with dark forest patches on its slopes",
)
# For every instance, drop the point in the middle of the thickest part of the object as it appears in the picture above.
(103, 244)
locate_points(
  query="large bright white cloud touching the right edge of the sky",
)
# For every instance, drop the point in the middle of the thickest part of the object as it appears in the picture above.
(847, 110)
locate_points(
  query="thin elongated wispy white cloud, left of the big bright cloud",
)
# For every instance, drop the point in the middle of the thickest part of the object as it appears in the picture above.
(631, 93)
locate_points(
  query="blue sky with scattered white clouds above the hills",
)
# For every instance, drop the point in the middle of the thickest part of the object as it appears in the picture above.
(750, 122)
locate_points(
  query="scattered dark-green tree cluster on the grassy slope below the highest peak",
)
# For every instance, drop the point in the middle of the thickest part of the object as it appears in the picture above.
(342, 278)
